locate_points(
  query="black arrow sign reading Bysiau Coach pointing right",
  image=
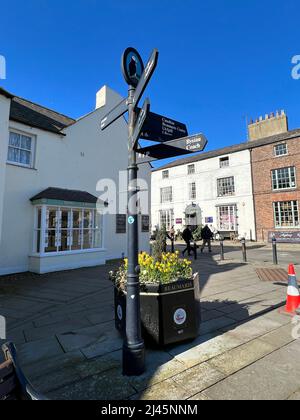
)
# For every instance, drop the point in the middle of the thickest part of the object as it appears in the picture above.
(174, 148)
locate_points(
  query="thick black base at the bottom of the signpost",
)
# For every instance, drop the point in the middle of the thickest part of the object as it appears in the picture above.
(134, 360)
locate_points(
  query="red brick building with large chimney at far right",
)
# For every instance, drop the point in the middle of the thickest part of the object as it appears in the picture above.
(275, 156)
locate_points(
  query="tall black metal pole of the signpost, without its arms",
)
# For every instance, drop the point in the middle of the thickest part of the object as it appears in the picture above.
(133, 348)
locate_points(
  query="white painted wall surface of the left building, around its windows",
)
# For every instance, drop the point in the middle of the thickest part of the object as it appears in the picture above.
(75, 161)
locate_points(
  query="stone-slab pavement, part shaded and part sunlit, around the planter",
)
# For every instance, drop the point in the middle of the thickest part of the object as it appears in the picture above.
(62, 324)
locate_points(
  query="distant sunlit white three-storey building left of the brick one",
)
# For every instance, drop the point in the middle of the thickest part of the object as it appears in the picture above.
(214, 188)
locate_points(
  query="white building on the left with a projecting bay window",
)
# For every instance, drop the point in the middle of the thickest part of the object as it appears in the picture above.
(50, 165)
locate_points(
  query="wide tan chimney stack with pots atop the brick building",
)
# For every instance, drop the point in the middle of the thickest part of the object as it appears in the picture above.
(272, 124)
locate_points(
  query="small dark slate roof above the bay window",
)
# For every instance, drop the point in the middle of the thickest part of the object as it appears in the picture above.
(65, 195)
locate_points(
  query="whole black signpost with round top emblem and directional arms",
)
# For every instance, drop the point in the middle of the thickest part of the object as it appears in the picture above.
(174, 142)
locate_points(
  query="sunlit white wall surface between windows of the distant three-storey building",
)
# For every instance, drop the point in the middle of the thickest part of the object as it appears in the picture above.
(207, 173)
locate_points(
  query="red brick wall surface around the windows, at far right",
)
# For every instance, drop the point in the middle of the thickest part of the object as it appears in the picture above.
(263, 162)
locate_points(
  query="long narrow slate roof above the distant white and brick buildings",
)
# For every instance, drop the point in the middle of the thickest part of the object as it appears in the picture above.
(232, 149)
